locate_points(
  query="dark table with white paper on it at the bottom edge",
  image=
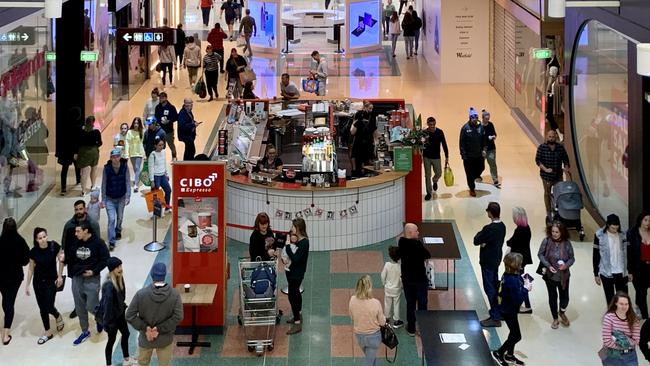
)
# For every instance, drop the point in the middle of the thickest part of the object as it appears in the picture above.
(433, 322)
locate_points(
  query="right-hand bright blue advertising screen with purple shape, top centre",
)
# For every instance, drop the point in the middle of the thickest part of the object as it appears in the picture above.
(364, 20)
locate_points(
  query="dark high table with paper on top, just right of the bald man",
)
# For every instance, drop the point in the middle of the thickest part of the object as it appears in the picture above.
(448, 250)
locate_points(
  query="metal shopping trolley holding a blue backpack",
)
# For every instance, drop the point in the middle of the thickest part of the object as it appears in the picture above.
(258, 315)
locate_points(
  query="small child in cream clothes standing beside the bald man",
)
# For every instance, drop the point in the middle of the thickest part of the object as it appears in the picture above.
(391, 278)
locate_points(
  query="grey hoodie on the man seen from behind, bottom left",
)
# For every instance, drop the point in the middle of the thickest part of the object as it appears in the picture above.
(159, 307)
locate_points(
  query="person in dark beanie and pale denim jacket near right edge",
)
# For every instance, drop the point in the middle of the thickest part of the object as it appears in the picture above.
(610, 258)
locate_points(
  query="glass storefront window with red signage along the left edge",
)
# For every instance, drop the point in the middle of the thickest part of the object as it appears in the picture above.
(27, 115)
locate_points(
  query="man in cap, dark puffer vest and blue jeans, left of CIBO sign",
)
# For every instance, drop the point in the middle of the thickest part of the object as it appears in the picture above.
(116, 193)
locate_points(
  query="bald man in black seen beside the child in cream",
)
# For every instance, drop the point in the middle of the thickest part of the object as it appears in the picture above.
(413, 255)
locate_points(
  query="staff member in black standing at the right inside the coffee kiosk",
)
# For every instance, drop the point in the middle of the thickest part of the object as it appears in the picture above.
(363, 144)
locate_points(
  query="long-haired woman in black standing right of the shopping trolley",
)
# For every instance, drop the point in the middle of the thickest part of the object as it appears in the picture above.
(297, 274)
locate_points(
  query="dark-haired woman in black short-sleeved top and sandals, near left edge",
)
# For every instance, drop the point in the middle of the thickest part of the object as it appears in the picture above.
(47, 277)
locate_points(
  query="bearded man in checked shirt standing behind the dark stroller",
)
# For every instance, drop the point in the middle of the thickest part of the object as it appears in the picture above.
(552, 160)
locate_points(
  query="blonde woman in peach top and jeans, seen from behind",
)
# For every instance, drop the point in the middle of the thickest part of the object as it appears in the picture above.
(367, 319)
